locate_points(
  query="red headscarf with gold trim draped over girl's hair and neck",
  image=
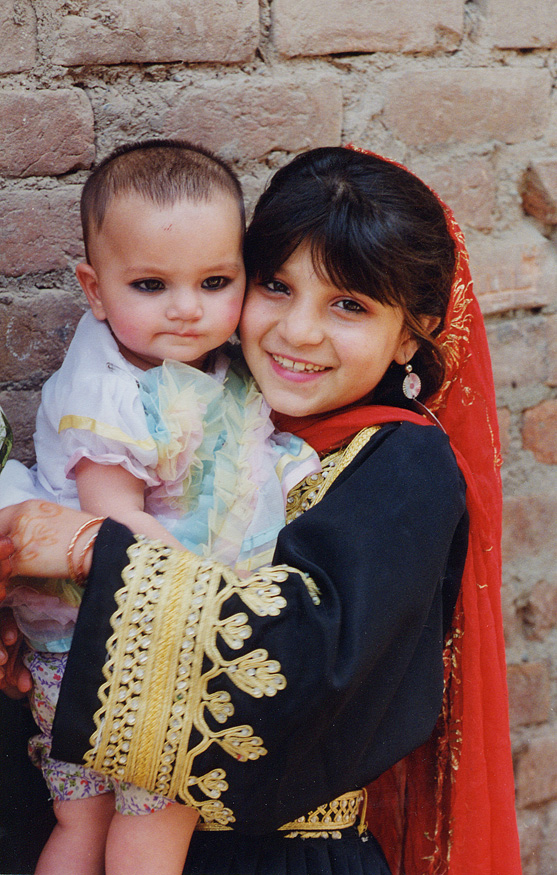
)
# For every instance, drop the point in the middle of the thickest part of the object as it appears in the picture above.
(448, 807)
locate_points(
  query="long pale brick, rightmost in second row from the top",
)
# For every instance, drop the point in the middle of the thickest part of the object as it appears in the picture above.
(469, 105)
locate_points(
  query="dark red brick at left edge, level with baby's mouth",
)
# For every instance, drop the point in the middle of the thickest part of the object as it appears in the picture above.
(36, 333)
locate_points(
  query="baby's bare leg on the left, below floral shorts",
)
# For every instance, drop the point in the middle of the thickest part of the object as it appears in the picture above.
(78, 841)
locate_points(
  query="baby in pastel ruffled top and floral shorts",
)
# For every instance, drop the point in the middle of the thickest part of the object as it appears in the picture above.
(150, 421)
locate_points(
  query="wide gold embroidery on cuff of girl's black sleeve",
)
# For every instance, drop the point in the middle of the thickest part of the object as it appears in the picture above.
(153, 609)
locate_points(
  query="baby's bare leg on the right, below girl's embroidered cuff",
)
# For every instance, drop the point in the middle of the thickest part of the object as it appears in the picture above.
(144, 844)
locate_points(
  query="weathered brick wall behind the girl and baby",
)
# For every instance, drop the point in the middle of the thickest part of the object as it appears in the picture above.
(462, 92)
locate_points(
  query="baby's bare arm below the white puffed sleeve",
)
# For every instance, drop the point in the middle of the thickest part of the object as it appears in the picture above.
(110, 490)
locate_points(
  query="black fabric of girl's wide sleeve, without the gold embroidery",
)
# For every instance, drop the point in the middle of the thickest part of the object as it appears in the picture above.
(363, 666)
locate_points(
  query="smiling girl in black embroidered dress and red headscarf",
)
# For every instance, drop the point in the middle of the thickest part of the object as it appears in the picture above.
(391, 656)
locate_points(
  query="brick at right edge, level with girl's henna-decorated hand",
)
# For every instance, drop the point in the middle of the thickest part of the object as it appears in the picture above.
(529, 528)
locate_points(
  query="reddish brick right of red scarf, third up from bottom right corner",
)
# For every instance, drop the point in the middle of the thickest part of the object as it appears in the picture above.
(529, 693)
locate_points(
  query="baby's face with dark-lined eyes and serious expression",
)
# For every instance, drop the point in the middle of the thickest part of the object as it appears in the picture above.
(169, 280)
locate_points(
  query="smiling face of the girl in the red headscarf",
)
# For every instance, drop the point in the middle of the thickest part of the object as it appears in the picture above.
(313, 347)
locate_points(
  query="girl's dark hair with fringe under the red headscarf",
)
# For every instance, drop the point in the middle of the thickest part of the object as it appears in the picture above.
(372, 228)
